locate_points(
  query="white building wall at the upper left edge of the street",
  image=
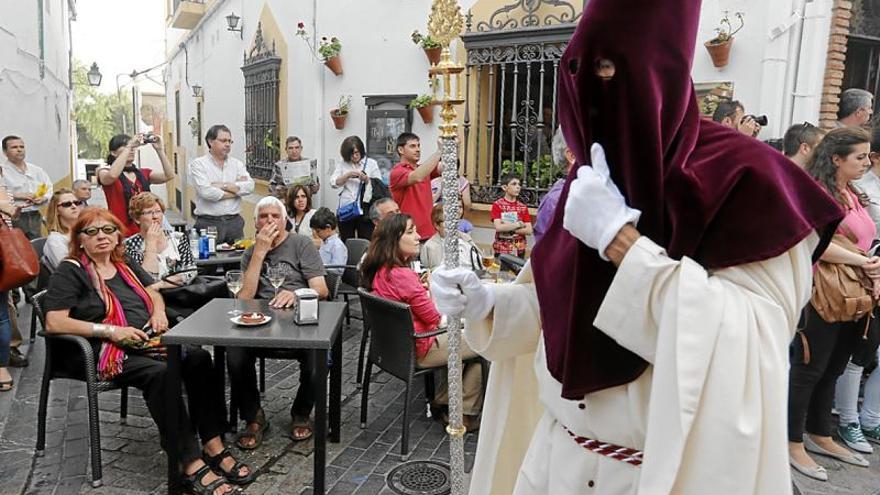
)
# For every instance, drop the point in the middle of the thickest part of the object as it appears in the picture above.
(34, 107)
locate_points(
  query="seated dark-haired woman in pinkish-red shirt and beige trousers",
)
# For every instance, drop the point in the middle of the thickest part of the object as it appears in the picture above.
(386, 272)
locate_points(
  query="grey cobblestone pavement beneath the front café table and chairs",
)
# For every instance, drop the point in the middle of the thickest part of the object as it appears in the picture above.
(133, 462)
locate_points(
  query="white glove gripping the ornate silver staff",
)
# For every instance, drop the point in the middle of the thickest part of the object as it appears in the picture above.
(459, 291)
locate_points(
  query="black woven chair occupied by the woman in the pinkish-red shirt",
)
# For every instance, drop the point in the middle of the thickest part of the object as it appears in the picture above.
(392, 349)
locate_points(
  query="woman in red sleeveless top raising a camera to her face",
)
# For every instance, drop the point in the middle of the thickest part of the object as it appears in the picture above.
(122, 178)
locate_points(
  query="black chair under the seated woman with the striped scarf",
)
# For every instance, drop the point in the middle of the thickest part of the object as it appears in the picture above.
(57, 347)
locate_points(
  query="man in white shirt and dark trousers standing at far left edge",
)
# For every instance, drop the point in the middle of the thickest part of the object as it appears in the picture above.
(29, 185)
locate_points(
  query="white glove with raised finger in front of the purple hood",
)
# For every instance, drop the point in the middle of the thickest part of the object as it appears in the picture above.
(595, 210)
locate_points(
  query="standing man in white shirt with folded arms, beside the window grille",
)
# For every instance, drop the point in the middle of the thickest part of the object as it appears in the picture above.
(220, 181)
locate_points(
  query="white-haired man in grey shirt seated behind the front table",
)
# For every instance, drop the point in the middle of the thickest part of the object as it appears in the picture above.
(298, 259)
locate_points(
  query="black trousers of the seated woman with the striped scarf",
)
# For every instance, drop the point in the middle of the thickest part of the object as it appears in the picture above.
(206, 398)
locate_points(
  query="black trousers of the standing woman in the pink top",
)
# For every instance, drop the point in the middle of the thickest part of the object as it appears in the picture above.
(811, 385)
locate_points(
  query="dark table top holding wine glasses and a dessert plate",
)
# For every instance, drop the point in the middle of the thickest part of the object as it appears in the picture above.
(210, 325)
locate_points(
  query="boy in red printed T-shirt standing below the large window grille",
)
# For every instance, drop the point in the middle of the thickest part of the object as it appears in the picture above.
(511, 219)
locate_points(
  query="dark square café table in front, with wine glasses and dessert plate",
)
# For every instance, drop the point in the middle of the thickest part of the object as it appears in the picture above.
(210, 325)
